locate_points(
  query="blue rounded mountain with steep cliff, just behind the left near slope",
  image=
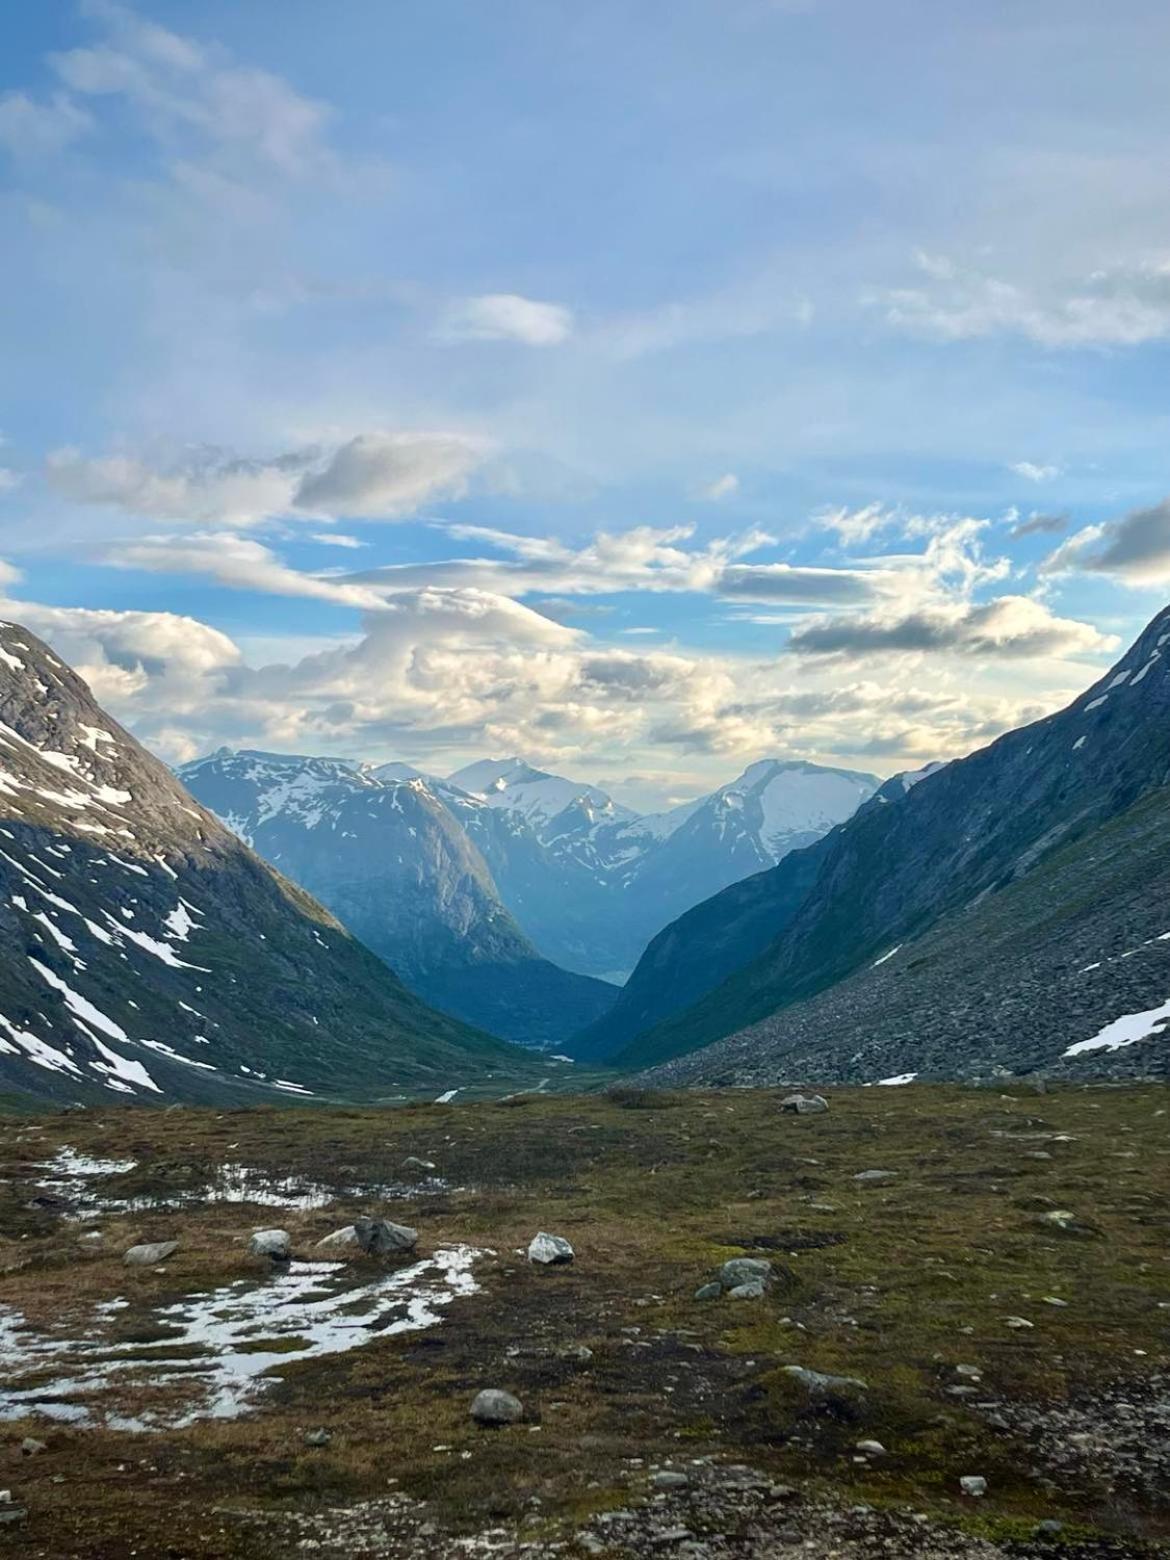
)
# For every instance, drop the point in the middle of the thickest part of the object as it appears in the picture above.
(381, 848)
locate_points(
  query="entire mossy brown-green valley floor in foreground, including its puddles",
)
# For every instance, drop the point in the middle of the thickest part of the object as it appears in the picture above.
(999, 1302)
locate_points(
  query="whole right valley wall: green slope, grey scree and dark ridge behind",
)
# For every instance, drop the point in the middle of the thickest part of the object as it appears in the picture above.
(1007, 910)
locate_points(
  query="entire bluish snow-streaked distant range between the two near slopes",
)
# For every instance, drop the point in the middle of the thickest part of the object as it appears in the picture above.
(495, 890)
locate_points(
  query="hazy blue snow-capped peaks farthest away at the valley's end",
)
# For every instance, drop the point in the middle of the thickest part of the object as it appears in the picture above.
(592, 882)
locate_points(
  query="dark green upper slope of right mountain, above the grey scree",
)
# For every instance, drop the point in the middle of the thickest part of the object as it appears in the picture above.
(966, 831)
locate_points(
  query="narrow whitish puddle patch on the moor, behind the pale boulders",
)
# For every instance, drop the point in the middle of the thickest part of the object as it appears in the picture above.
(71, 1175)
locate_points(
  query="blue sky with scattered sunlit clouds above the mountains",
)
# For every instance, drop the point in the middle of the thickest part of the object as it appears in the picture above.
(639, 389)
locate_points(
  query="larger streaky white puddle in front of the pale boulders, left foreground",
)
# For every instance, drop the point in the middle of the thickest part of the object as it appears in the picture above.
(219, 1345)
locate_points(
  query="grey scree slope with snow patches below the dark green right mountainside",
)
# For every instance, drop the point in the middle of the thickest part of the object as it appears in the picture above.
(1035, 977)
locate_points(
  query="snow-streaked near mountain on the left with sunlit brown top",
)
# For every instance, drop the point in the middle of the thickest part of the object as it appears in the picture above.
(149, 955)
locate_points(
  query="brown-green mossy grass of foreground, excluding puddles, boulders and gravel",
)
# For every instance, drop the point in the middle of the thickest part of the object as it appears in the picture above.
(895, 1283)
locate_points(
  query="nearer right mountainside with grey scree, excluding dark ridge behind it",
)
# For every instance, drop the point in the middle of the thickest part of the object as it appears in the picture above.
(940, 868)
